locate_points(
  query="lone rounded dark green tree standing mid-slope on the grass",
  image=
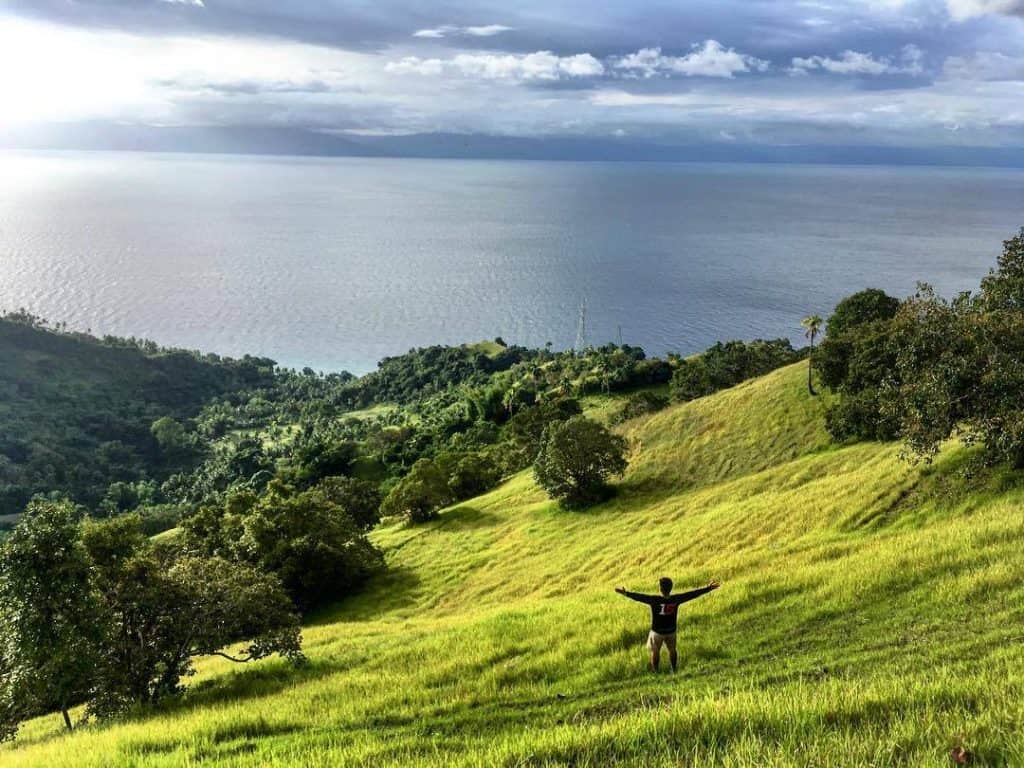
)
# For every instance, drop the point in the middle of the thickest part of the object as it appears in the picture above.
(576, 460)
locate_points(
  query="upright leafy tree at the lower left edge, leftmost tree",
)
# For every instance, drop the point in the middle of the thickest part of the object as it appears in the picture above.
(51, 618)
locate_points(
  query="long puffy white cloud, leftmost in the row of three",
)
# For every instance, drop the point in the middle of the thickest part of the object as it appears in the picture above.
(539, 66)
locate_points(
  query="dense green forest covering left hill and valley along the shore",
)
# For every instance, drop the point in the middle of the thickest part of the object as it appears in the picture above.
(119, 425)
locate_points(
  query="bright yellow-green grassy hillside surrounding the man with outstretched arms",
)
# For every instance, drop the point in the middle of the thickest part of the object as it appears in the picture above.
(870, 615)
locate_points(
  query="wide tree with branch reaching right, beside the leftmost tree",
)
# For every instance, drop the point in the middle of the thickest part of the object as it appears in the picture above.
(163, 612)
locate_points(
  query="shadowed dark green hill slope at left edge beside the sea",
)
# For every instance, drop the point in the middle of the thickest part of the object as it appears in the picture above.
(76, 412)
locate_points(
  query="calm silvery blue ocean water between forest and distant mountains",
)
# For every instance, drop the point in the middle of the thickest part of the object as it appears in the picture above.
(337, 263)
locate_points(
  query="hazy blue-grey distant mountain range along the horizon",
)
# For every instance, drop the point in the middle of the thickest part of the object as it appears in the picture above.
(298, 142)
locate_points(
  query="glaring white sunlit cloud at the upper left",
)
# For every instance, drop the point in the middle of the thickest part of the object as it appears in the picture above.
(68, 74)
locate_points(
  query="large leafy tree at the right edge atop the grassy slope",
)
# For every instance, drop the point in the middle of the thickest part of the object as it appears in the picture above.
(940, 368)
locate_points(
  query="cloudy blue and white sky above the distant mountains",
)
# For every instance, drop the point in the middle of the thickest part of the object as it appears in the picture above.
(898, 73)
